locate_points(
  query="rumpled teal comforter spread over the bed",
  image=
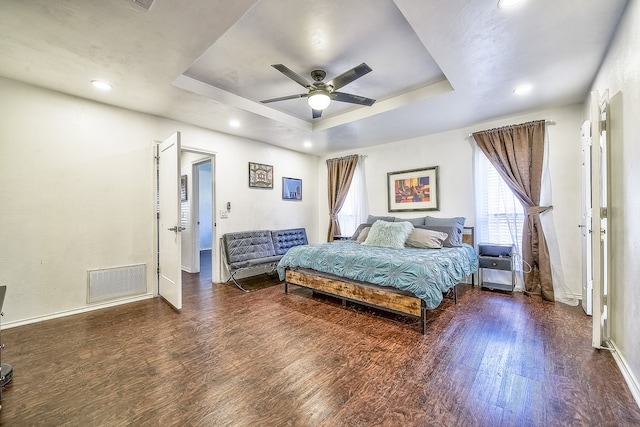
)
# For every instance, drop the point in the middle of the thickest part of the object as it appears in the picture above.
(426, 273)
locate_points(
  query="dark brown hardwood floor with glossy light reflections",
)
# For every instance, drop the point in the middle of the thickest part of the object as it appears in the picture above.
(269, 359)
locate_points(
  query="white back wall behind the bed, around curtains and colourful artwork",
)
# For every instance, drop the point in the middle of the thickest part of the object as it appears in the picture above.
(453, 152)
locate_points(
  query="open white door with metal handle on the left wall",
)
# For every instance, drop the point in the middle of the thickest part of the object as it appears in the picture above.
(169, 228)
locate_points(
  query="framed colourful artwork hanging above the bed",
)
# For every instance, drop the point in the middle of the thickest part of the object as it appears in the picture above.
(413, 190)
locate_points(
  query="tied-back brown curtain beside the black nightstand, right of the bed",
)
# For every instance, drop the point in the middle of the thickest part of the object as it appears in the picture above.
(517, 153)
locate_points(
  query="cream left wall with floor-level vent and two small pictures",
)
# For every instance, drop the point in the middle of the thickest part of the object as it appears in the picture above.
(77, 193)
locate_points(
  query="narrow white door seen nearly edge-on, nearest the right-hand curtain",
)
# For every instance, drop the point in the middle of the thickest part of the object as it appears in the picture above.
(586, 226)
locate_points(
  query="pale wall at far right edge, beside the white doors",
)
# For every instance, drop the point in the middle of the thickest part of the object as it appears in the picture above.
(620, 75)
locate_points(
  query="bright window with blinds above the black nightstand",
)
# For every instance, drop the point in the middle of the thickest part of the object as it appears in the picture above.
(500, 215)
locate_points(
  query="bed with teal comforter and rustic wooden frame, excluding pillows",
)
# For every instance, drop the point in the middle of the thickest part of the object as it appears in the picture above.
(407, 280)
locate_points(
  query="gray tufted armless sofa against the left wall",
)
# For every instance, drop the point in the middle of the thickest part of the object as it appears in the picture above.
(257, 248)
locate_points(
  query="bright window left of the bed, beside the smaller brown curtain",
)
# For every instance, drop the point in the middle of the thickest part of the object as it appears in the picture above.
(355, 208)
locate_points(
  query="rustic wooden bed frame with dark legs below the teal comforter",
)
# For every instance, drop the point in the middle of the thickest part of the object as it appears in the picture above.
(382, 297)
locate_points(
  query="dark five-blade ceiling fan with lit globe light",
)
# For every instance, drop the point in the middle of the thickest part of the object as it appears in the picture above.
(321, 93)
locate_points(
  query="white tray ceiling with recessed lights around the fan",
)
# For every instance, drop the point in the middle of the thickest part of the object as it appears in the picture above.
(437, 65)
